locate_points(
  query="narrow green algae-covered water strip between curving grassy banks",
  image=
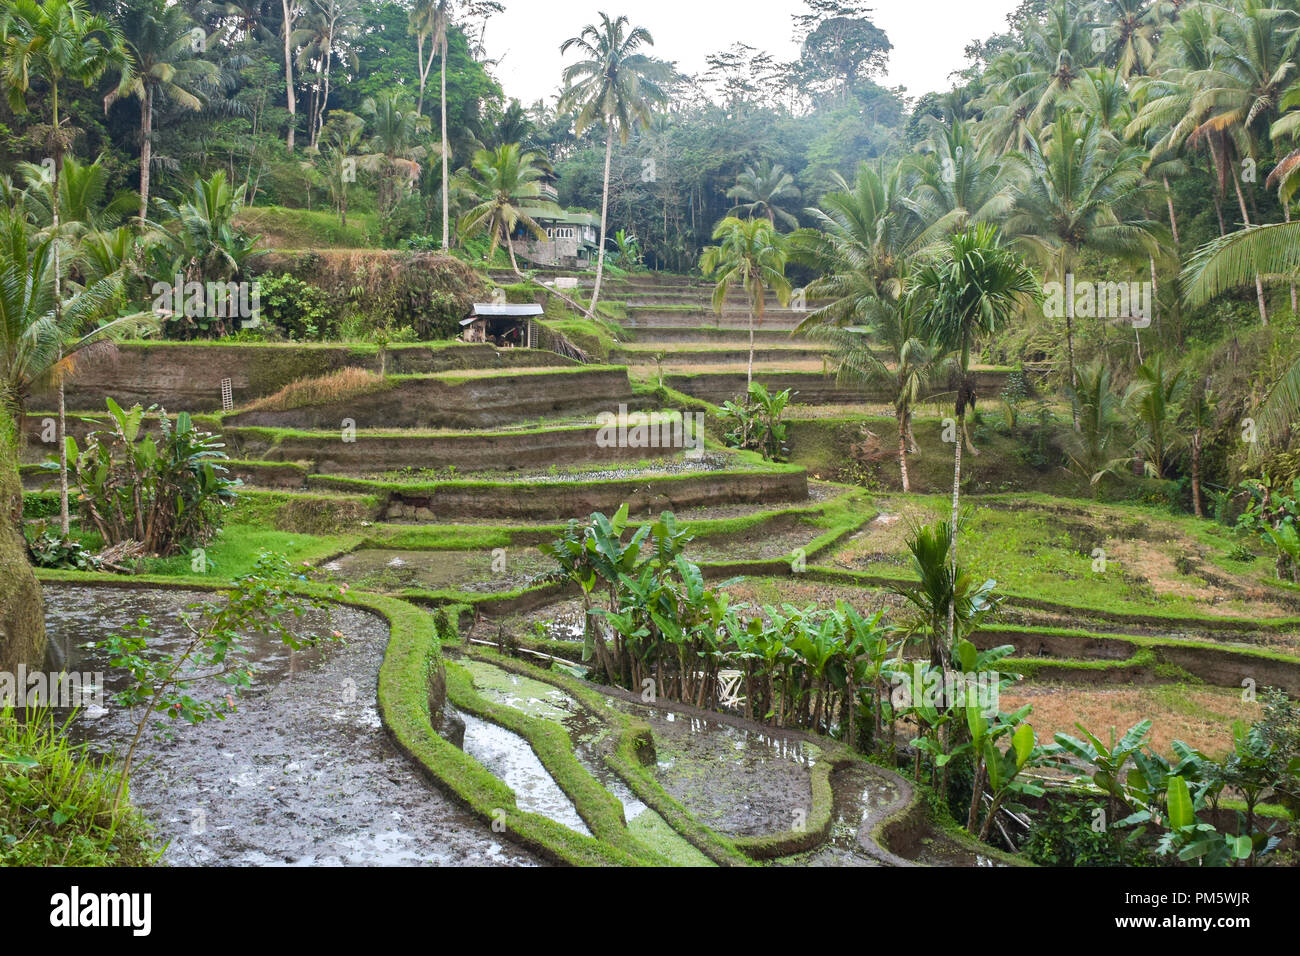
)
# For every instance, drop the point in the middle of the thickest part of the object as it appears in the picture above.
(592, 742)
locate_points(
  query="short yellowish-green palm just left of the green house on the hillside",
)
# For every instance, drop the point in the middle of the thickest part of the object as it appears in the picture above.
(501, 179)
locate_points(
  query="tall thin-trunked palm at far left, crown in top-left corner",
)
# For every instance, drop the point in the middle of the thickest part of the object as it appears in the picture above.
(58, 42)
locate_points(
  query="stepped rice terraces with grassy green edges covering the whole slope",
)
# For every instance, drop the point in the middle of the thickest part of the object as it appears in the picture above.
(424, 496)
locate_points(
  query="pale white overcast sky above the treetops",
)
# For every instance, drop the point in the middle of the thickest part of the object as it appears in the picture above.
(929, 36)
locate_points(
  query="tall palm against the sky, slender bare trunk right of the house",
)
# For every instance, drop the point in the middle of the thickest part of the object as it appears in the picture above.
(616, 85)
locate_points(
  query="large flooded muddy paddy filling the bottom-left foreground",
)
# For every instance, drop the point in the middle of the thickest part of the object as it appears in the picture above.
(304, 775)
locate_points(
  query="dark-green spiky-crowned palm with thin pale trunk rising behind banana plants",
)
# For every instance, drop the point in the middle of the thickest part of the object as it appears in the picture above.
(970, 292)
